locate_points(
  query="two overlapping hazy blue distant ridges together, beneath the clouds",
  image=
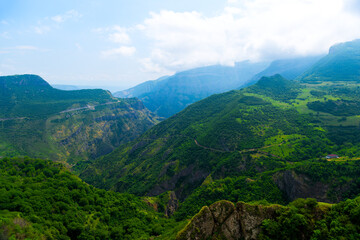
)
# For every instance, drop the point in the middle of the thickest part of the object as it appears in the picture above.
(171, 94)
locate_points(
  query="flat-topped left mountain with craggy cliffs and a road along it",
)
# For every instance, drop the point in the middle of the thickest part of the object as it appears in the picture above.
(40, 121)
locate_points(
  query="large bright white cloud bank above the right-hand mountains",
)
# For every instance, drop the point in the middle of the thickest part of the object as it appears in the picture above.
(247, 29)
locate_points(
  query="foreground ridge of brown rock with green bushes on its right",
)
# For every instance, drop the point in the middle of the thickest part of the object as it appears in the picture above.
(302, 219)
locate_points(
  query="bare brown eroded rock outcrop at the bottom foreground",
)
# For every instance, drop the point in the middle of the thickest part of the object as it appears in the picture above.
(224, 220)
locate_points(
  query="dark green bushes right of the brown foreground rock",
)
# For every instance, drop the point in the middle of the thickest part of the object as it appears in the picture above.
(308, 219)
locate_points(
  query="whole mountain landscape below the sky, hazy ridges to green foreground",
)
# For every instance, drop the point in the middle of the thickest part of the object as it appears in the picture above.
(277, 159)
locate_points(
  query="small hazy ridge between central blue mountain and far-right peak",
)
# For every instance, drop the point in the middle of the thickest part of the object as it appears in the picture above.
(288, 68)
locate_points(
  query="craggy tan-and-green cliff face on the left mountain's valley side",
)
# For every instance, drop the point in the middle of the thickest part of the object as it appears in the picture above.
(91, 133)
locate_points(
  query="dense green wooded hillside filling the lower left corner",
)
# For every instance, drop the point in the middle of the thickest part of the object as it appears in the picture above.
(38, 196)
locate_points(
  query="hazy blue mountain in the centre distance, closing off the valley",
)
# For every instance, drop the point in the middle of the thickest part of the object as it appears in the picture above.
(169, 95)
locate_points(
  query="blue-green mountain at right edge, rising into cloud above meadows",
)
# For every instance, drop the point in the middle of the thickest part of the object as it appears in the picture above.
(341, 64)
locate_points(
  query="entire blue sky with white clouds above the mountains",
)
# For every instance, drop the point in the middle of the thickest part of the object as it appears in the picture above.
(121, 43)
